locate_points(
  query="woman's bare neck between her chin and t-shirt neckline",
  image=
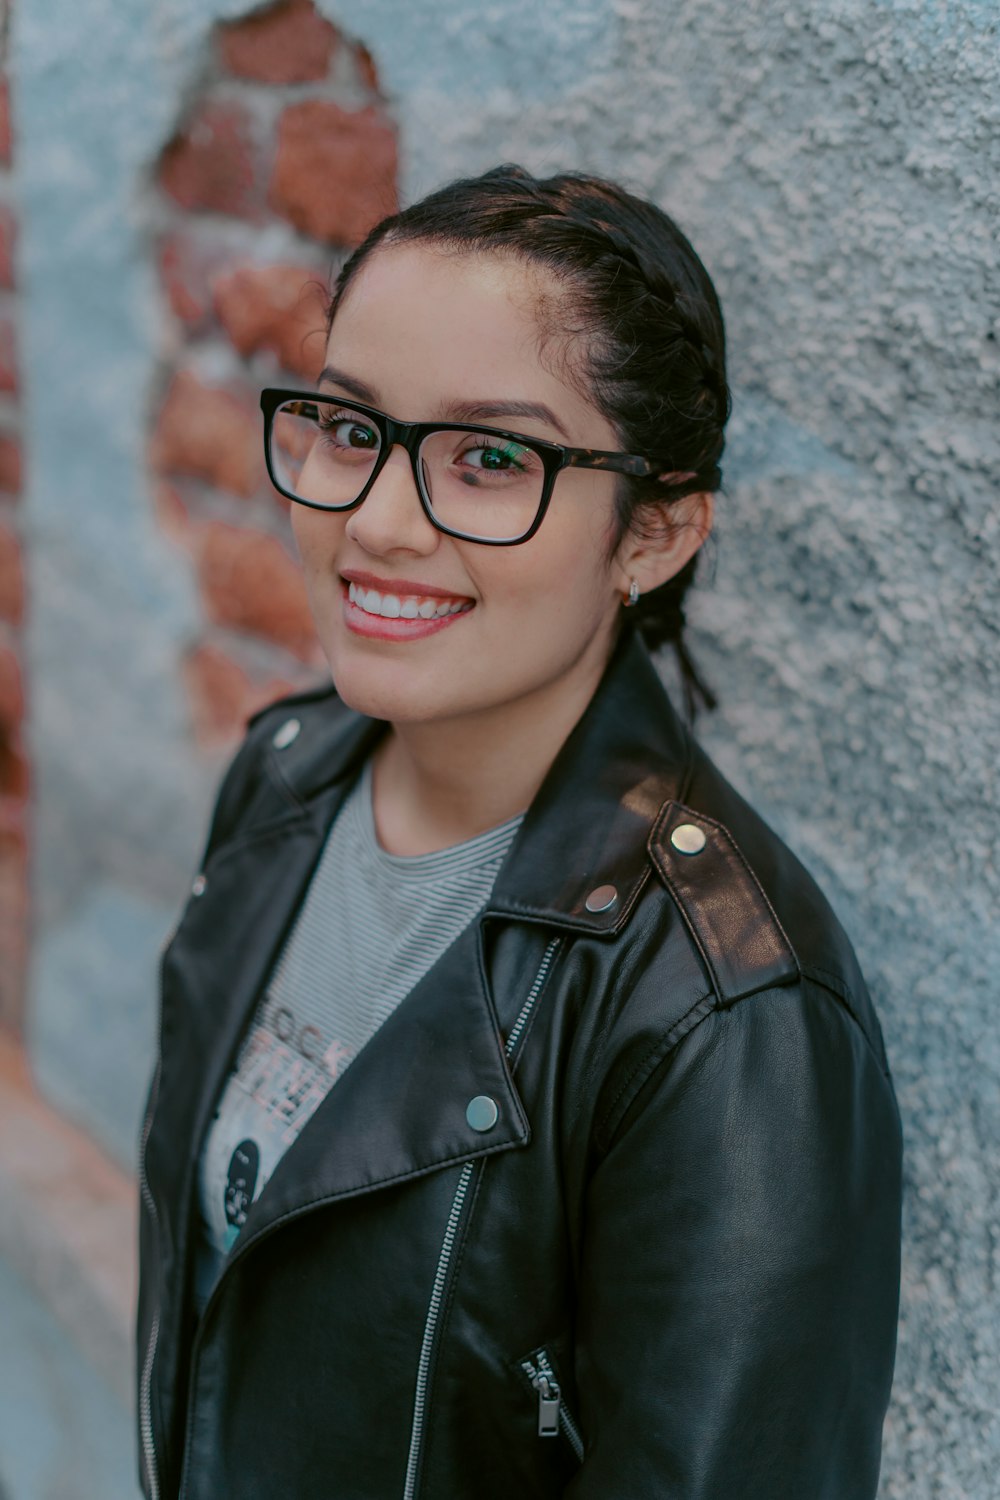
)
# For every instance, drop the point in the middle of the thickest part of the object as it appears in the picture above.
(440, 784)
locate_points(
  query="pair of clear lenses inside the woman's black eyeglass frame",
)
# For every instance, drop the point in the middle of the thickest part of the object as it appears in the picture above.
(475, 482)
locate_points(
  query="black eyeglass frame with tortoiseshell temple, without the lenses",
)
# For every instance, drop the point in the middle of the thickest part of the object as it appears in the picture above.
(410, 436)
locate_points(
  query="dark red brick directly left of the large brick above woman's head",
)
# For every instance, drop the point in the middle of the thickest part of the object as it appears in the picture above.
(211, 166)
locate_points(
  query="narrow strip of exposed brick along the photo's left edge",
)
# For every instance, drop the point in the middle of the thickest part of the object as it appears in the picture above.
(14, 769)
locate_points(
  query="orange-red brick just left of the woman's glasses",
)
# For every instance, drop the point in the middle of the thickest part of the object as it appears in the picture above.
(208, 434)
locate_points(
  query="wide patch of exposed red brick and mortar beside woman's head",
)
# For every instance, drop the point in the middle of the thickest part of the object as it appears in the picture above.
(286, 157)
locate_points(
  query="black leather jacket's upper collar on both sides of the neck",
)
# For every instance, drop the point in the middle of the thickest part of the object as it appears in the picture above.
(591, 820)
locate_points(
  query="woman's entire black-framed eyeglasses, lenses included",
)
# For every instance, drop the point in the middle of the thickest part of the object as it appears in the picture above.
(475, 484)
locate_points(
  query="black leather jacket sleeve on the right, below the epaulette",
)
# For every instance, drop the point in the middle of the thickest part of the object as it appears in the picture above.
(741, 1265)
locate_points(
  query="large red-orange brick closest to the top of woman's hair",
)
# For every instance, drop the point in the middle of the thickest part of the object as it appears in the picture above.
(335, 173)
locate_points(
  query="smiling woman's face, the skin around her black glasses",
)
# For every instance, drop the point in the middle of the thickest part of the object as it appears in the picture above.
(427, 337)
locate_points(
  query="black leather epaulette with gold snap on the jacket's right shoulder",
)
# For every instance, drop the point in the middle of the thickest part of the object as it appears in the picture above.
(726, 910)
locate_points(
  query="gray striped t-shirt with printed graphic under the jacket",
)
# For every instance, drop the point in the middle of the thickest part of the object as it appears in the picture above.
(370, 929)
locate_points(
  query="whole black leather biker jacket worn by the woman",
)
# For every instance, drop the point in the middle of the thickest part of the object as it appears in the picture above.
(668, 1270)
